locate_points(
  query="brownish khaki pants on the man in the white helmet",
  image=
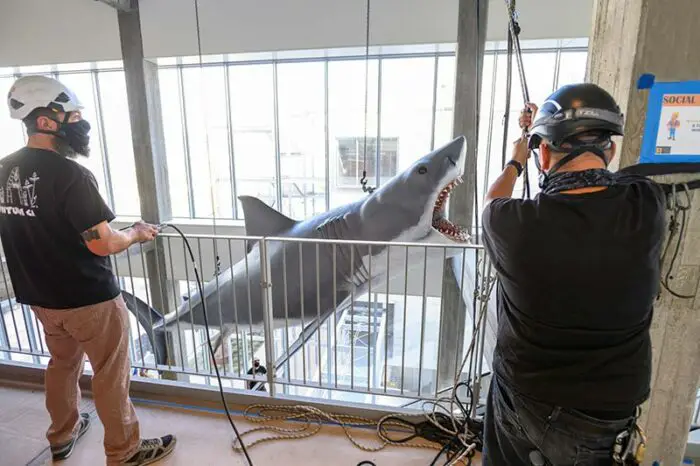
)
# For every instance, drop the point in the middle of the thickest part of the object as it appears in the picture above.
(102, 332)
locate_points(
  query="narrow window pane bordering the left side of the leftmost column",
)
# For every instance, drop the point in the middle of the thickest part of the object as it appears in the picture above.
(120, 150)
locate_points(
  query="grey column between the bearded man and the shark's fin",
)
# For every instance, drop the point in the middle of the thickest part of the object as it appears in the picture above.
(149, 148)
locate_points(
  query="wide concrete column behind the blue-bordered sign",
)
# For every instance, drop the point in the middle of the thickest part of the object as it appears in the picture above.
(632, 37)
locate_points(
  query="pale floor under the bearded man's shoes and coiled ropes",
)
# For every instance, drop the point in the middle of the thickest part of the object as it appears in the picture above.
(203, 439)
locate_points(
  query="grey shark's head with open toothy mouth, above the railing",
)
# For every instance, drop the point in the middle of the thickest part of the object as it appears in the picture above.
(415, 200)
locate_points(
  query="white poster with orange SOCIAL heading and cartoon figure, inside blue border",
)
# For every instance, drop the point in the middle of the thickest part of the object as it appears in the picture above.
(679, 125)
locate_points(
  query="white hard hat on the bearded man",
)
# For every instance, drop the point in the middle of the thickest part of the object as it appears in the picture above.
(31, 92)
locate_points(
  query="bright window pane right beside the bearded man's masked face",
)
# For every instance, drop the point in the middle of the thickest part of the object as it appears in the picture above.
(81, 84)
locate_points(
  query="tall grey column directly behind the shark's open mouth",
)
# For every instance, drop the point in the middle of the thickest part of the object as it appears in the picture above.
(471, 40)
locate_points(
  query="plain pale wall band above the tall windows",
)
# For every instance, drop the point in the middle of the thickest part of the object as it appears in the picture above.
(63, 31)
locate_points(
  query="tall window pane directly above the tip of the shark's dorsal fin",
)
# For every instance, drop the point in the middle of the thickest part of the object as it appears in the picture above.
(253, 126)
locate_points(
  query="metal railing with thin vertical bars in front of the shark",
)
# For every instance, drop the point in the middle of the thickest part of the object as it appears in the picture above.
(375, 341)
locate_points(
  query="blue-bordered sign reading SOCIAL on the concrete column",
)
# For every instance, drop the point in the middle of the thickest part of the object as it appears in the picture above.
(672, 130)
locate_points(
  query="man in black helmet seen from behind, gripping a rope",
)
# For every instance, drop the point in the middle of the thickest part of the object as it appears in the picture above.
(578, 270)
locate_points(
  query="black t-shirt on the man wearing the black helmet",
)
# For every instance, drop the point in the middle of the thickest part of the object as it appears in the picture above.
(578, 277)
